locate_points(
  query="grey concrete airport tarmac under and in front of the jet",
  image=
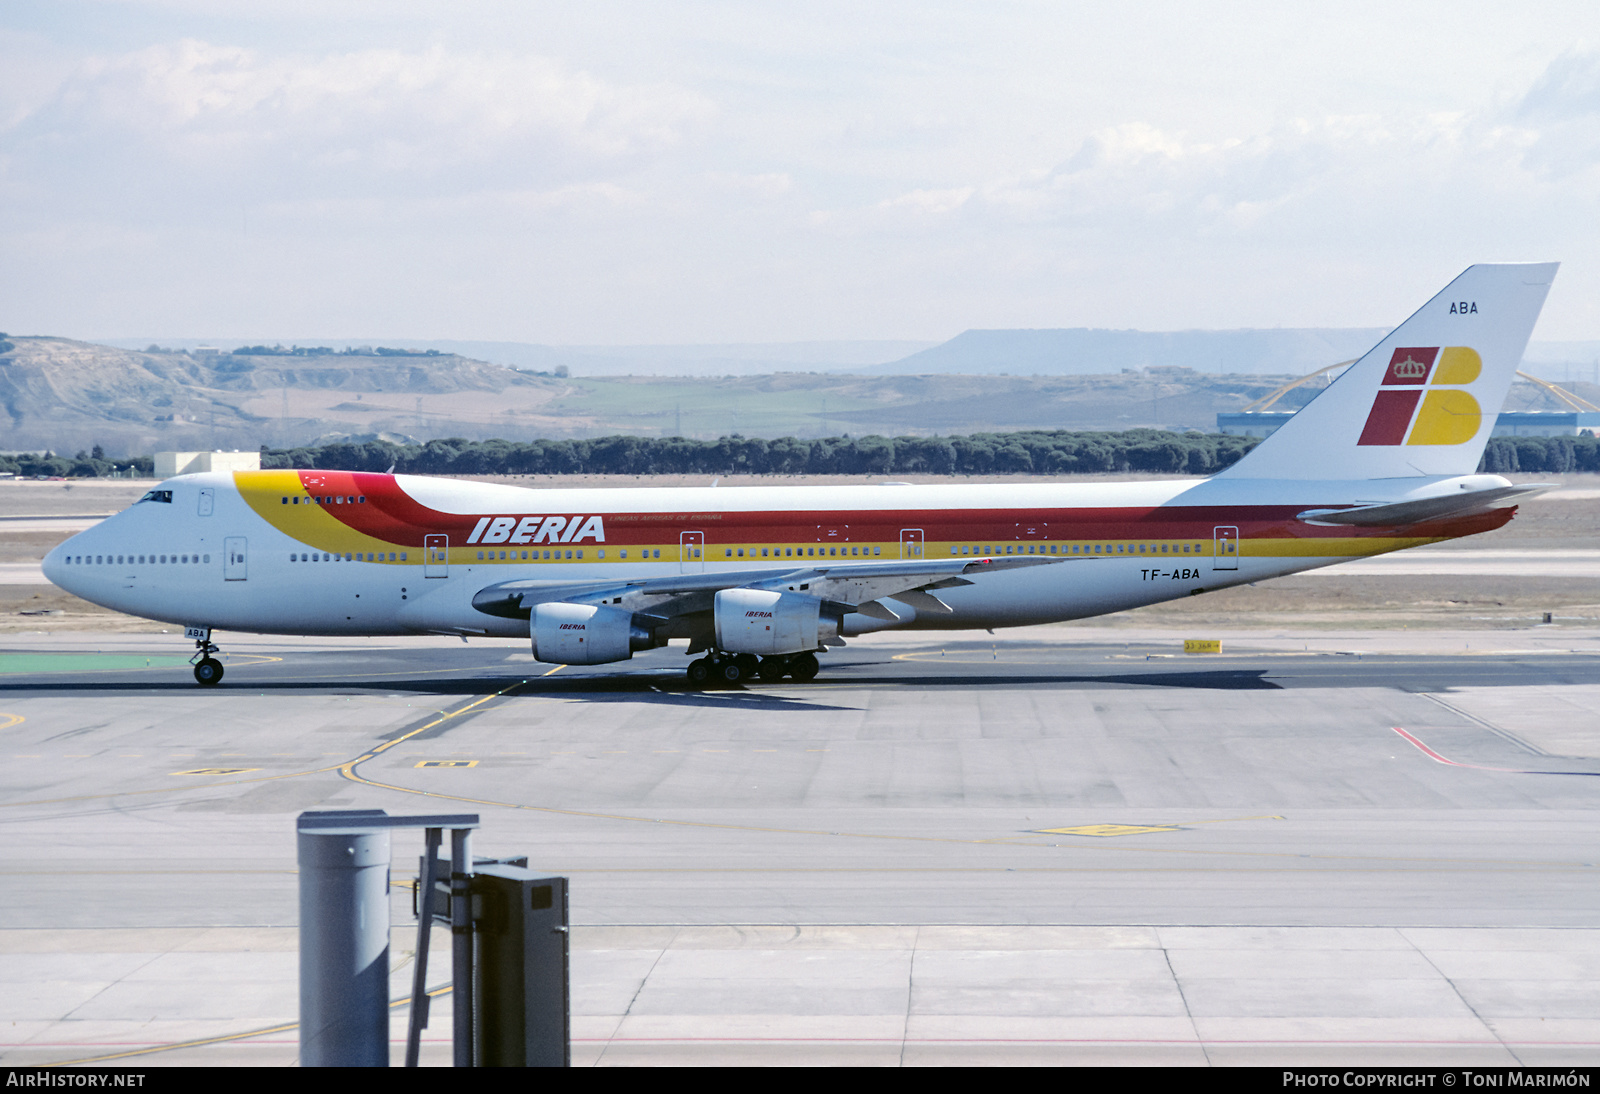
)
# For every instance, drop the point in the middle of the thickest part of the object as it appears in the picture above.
(1055, 845)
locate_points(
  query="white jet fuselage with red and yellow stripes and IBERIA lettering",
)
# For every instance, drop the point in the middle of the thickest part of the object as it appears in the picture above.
(226, 551)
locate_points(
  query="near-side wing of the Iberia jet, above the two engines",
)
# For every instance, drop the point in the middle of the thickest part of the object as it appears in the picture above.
(844, 588)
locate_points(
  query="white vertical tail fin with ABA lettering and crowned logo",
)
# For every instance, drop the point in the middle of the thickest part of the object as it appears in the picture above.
(1425, 401)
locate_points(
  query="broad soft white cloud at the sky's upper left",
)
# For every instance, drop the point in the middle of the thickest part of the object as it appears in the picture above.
(426, 113)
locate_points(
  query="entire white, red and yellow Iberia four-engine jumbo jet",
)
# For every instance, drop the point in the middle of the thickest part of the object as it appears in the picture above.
(766, 578)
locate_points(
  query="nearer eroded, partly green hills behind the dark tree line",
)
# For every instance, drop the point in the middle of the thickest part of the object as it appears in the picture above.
(66, 396)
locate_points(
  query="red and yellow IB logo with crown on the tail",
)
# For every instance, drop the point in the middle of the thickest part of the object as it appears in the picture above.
(1436, 380)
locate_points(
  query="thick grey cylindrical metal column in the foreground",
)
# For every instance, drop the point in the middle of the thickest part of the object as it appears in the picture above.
(345, 946)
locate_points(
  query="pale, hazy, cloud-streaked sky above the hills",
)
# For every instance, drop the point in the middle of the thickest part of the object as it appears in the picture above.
(612, 174)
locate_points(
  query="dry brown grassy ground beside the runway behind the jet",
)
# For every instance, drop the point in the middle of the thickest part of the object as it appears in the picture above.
(1570, 519)
